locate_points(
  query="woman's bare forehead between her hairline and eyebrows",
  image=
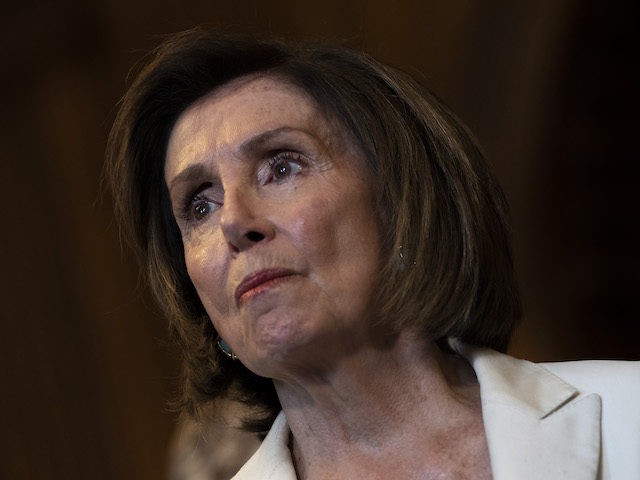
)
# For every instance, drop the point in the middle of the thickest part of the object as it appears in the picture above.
(239, 110)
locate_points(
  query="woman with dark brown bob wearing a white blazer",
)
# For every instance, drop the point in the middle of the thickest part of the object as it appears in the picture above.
(333, 253)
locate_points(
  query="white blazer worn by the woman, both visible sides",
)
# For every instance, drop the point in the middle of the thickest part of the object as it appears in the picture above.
(553, 421)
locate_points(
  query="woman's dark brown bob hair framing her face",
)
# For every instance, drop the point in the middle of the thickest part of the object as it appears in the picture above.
(447, 270)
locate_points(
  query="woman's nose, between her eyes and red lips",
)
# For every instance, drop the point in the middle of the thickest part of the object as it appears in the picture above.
(242, 221)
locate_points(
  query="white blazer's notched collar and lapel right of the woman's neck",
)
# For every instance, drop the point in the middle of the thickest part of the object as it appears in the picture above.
(537, 425)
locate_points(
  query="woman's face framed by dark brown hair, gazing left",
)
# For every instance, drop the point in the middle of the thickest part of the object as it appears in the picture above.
(274, 205)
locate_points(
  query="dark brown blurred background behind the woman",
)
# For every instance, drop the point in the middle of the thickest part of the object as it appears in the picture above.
(549, 87)
